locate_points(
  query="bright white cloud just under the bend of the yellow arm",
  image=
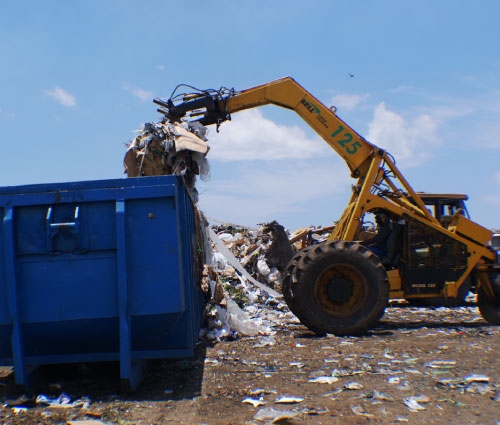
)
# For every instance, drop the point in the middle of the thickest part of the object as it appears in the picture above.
(251, 136)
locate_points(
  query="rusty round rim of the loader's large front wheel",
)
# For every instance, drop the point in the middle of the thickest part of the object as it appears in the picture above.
(340, 289)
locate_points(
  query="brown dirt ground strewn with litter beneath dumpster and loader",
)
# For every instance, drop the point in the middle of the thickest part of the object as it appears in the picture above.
(421, 365)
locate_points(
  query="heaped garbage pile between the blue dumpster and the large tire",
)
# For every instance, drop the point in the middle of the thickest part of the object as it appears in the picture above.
(245, 272)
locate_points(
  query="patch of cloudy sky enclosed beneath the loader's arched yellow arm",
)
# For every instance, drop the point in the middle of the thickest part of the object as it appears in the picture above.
(263, 171)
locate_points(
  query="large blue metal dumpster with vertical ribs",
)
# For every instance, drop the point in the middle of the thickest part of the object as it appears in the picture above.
(102, 270)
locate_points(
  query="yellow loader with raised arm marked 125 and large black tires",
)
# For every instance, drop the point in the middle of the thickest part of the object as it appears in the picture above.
(342, 286)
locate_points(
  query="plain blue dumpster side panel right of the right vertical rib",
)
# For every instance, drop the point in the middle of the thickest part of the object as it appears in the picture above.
(153, 257)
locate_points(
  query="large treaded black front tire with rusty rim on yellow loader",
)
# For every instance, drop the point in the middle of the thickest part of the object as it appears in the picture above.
(341, 288)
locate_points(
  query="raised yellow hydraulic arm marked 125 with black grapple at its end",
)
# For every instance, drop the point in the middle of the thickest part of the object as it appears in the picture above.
(363, 158)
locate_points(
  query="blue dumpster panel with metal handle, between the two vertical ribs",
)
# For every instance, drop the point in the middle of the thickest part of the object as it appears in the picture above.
(66, 279)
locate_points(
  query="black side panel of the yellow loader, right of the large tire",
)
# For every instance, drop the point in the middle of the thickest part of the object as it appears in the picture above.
(430, 258)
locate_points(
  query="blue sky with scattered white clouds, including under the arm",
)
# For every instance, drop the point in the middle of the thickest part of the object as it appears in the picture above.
(78, 78)
